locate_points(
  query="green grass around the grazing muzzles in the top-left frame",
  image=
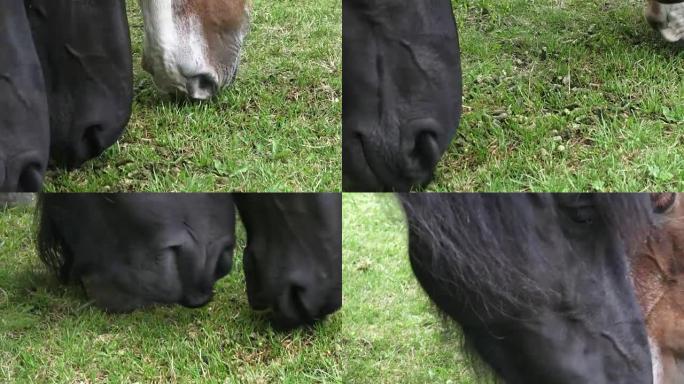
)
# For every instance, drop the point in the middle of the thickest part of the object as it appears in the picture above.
(276, 129)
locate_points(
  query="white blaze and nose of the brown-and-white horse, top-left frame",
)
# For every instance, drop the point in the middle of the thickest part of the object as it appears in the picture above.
(175, 50)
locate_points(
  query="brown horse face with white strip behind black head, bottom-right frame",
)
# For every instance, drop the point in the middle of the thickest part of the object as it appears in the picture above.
(658, 274)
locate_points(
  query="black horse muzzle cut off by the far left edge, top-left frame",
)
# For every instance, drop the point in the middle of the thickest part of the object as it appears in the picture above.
(24, 124)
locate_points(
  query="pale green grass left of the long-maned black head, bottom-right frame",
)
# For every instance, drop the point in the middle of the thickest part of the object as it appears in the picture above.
(395, 334)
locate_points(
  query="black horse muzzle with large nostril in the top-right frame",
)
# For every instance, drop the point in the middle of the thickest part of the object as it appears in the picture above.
(401, 91)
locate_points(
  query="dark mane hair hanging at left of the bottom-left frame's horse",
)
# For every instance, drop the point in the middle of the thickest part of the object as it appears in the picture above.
(52, 250)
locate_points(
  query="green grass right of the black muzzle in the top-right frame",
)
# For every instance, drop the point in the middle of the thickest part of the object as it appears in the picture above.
(565, 95)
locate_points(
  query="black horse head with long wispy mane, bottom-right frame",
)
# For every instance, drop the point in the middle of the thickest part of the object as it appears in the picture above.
(539, 283)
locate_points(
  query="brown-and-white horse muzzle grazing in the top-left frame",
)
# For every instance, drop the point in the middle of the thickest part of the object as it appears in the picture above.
(193, 46)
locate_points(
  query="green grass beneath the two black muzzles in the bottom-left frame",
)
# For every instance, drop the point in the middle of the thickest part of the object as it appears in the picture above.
(48, 333)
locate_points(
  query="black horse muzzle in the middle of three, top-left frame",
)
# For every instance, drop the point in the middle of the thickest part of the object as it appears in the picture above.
(85, 52)
